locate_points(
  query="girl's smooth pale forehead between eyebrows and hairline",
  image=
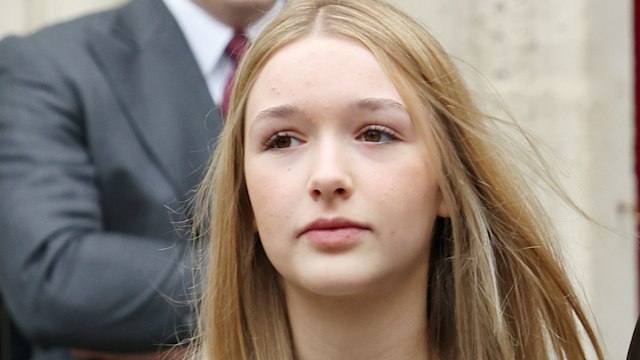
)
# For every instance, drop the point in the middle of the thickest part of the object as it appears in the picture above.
(321, 68)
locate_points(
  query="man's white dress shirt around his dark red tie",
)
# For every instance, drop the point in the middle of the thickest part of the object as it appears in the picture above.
(208, 37)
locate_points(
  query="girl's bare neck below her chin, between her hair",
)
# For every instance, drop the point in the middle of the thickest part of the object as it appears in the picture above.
(380, 325)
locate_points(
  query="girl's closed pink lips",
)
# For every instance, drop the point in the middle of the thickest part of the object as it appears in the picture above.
(333, 233)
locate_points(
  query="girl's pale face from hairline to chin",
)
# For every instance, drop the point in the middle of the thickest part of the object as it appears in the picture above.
(343, 189)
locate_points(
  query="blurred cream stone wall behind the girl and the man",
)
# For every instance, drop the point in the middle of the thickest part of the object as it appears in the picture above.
(566, 72)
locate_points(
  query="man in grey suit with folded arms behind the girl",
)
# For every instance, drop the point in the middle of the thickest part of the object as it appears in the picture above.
(106, 123)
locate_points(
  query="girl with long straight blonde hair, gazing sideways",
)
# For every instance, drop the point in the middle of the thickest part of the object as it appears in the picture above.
(359, 207)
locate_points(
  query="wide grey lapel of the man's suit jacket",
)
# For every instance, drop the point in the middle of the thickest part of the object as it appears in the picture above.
(154, 76)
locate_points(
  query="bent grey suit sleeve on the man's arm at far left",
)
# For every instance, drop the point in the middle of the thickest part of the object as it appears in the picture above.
(65, 280)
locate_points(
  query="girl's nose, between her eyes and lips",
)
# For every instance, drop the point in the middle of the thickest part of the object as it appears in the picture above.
(330, 175)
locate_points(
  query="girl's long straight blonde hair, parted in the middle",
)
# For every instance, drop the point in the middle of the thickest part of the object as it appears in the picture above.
(496, 287)
